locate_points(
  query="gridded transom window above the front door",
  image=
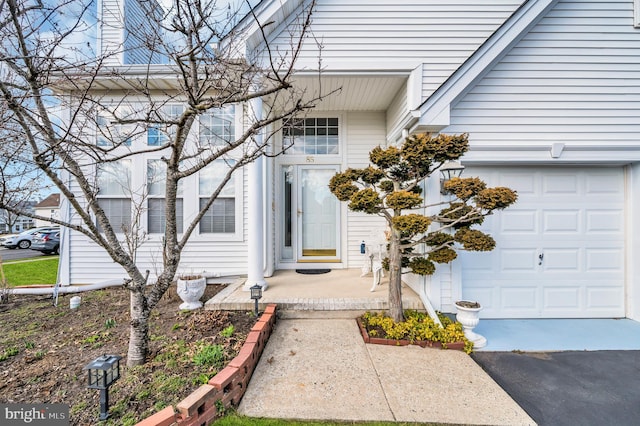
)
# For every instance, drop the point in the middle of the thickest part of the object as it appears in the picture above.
(311, 136)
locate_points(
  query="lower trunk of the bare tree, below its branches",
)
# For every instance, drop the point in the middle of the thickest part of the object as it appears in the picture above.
(139, 329)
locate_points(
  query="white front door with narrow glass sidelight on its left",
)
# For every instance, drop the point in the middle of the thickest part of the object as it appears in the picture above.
(310, 223)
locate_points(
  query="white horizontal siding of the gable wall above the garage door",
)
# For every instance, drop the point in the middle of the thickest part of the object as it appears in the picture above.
(572, 79)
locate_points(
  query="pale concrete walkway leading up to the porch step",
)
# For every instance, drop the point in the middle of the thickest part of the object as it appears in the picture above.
(321, 369)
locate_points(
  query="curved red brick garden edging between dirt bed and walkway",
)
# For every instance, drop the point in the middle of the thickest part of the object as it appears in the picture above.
(226, 388)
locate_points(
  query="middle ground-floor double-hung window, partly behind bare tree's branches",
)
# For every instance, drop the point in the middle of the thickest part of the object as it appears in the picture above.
(156, 208)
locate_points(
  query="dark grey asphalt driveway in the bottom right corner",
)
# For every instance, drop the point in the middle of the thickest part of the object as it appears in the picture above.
(570, 388)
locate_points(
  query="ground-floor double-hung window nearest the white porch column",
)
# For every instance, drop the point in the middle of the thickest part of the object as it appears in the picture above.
(221, 215)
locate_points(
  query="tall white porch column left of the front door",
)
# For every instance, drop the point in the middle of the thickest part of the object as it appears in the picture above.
(255, 272)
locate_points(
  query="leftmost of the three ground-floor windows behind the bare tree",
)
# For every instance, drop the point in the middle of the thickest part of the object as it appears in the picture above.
(114, 193)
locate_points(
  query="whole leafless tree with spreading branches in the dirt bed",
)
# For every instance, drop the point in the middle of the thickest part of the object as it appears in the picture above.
(81, 118)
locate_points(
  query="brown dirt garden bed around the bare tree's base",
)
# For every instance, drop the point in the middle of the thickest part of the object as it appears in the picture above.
(43, 350)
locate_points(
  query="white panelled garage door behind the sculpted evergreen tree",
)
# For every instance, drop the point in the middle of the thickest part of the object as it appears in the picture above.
(560, 248)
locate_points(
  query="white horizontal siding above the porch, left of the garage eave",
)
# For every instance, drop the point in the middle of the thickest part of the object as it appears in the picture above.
(366, 34)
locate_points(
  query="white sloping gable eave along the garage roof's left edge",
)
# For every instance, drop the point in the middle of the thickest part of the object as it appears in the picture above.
(435, 111)
